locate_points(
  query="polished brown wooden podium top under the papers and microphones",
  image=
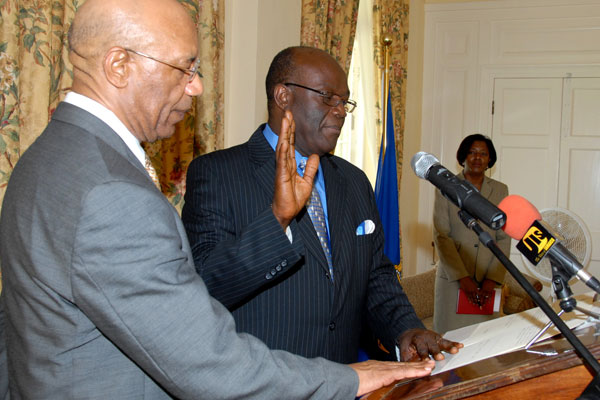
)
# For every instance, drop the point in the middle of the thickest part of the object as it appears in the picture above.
(555, 371)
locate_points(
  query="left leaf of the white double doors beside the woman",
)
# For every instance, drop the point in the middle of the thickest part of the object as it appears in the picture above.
(526, 134)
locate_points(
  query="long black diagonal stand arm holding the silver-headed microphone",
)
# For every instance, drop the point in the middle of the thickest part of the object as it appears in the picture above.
(485, 238)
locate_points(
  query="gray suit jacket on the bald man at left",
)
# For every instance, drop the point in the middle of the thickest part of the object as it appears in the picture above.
(101, 297)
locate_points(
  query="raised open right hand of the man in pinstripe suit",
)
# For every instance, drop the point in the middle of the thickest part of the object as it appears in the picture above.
(291, 190)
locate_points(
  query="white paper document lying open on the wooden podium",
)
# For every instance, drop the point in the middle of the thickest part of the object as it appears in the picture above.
(506, 334)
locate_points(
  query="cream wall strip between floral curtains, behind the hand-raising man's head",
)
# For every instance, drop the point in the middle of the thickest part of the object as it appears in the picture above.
(255, 30)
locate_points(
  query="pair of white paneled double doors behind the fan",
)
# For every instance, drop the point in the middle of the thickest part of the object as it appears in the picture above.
(547, 135)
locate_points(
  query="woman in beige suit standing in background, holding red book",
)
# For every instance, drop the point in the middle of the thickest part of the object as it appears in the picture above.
(464, 262)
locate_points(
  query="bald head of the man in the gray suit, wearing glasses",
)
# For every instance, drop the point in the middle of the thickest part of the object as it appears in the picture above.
(134, 57)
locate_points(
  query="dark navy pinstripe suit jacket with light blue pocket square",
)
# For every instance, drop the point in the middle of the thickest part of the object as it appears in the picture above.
(280, 292)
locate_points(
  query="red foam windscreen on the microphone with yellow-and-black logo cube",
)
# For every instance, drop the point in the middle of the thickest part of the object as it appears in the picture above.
(520, 214)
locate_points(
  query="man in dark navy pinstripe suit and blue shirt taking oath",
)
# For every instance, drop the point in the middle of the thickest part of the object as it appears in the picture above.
(272, 272)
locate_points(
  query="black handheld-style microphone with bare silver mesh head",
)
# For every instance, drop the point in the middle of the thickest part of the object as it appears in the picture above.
(462, 193)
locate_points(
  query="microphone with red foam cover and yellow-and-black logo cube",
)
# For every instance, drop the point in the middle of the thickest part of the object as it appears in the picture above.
(537, 240)
